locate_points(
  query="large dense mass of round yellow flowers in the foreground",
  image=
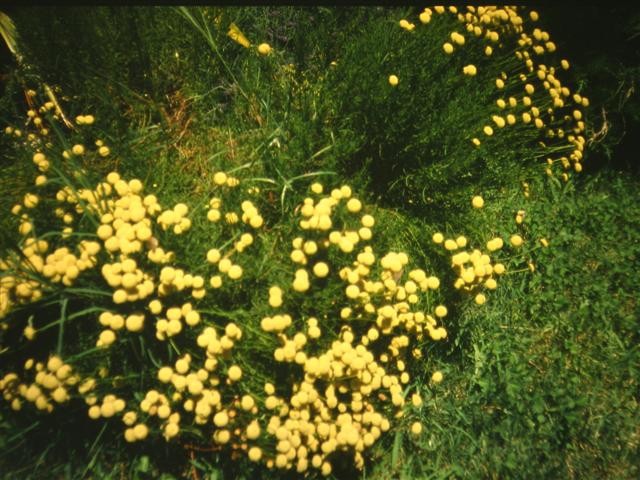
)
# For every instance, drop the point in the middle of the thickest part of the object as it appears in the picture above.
(343, 395)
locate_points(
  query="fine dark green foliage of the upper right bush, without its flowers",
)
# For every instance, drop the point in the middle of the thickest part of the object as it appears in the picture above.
(414, 140)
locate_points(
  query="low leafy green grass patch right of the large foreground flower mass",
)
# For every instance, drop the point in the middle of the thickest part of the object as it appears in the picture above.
(542, 380)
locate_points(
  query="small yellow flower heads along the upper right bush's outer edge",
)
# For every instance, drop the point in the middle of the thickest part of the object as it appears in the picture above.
(535, 97)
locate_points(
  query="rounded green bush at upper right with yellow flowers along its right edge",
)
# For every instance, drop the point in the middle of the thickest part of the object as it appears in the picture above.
(457, 99)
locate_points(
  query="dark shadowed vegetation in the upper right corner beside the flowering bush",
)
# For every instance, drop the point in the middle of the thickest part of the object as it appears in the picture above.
(602, 41)
